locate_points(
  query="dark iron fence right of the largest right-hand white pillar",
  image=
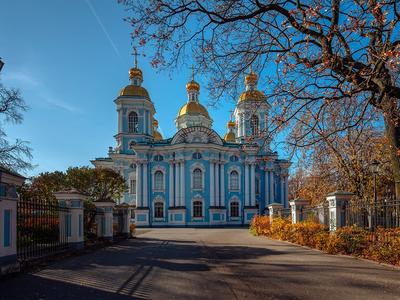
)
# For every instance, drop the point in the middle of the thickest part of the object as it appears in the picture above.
(384, 213)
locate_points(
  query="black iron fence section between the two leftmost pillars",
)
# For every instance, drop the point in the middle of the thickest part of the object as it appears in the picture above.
(39, 233)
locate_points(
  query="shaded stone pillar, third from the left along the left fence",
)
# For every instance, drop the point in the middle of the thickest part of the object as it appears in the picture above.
(105, 219)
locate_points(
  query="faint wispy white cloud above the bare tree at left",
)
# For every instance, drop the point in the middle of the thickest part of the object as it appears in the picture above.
(41, 90)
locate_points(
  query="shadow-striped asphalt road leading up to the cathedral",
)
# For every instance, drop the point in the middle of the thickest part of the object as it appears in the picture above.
(205, 264)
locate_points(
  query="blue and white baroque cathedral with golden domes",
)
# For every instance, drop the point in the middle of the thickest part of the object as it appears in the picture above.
(196, 177)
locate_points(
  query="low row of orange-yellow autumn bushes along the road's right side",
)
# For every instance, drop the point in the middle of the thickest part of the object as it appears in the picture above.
(382, 245)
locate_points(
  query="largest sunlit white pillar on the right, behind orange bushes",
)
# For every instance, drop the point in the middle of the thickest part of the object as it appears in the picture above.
(337, 202)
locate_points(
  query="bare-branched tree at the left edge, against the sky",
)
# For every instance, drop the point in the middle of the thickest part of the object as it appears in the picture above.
(13, 156)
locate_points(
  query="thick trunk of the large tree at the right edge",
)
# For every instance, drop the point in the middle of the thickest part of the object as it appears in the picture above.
(392, 132)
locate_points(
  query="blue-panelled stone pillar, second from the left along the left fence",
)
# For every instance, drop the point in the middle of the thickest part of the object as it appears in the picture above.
(71, 219)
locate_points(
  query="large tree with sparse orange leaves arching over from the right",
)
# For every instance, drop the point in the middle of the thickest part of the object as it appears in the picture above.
(327, 54)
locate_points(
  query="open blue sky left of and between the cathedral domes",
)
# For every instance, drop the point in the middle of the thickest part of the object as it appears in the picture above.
(70, 59)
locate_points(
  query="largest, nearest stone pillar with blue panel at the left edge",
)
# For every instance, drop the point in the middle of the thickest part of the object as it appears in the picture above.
(9, 181)
